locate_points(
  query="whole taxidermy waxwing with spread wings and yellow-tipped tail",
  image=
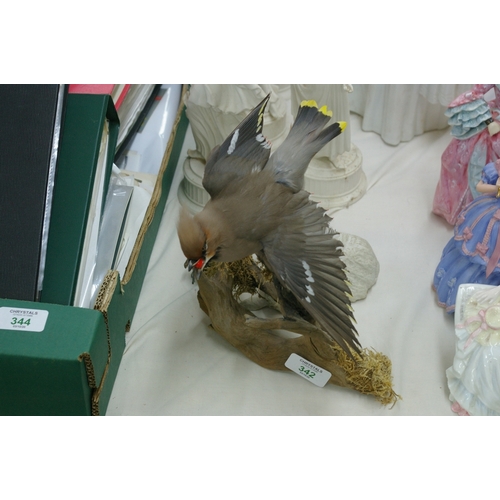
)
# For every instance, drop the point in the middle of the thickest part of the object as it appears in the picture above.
(258, 206)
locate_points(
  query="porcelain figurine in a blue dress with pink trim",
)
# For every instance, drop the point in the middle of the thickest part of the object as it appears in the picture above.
(473, 254)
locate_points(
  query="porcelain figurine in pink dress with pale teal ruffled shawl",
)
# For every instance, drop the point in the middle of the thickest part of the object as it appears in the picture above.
(476, 142)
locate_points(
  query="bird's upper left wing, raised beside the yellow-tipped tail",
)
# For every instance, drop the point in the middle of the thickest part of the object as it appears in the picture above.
(245, 150)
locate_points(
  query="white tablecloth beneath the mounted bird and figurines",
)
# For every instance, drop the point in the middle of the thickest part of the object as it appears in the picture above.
(174, 364)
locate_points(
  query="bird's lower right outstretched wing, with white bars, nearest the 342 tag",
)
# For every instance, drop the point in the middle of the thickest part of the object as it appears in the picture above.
(305, 258)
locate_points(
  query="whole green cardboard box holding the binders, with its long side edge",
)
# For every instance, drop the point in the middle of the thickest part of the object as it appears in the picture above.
(63, 360)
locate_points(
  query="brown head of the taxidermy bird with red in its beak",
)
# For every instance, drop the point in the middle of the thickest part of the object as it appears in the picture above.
(195, 243)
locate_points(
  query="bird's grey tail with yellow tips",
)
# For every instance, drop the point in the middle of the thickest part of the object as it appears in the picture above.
(307, 136)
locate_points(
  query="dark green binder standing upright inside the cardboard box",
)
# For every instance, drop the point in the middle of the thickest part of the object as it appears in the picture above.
(88, 142)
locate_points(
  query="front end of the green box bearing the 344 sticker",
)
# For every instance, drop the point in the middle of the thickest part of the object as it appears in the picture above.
(50, 356)
